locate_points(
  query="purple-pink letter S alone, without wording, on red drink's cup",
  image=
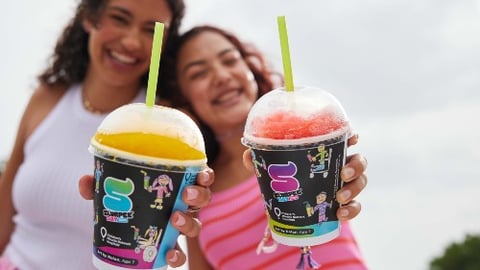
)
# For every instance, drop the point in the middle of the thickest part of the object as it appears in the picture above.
(283, 179)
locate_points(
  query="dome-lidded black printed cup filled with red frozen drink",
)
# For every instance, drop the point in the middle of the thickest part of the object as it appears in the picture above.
(298, 142)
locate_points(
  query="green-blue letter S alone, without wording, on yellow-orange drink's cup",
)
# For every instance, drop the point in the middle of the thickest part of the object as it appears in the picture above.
(117, 191)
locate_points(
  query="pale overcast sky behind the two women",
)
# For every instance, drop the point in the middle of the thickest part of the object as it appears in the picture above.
(406, 72)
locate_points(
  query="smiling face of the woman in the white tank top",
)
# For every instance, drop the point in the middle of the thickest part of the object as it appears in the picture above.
(120, 43)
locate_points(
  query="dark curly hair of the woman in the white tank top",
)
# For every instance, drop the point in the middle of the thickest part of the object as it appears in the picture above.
(69, 62)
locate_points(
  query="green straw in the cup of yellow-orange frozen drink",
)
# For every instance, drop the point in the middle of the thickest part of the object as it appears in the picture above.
(154, 64)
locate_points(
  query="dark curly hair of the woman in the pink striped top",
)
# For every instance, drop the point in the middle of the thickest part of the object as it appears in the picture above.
(255, 60)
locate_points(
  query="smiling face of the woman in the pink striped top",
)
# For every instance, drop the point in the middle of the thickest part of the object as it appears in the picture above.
(213, 71)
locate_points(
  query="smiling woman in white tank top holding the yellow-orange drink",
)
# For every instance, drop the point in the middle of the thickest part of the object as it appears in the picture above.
(100, 63)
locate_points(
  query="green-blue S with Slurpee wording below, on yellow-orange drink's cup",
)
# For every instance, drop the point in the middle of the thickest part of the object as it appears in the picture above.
(117, 203)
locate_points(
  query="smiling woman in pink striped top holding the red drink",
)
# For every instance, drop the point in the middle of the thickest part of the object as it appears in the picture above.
(217, 79)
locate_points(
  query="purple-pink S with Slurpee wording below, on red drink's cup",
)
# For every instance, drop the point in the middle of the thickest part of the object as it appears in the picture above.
(283, 182)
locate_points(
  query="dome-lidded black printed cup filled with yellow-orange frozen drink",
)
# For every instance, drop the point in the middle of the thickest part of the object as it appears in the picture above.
(143, 158)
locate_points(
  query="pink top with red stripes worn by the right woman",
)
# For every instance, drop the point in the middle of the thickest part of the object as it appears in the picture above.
(234, 223)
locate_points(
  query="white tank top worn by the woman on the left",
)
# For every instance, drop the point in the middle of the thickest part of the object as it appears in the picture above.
(54, 224)
